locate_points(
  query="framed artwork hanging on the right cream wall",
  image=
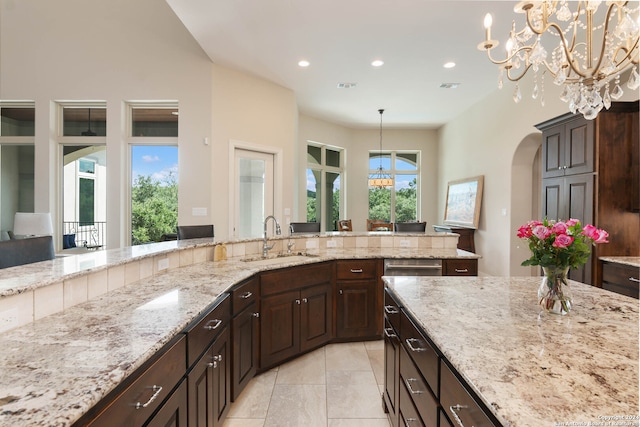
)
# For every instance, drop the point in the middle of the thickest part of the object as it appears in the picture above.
(463, 202)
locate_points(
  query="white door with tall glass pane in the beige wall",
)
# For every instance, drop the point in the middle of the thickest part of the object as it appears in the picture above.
(253, 192)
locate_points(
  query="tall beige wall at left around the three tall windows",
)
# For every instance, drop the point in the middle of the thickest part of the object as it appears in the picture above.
(112, 51)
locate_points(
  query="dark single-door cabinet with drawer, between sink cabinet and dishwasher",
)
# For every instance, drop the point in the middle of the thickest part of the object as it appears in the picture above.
(358, 299)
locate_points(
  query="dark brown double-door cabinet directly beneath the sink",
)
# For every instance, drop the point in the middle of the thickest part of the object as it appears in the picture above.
(296, 312)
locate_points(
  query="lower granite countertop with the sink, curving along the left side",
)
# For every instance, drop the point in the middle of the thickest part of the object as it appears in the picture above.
(55, 369)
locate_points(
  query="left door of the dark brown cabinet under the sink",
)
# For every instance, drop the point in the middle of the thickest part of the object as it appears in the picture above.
(279, 328)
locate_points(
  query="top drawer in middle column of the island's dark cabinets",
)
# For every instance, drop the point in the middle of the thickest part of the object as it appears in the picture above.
(420, 351)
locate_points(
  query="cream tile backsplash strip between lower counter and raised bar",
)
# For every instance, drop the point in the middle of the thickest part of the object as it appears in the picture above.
(76, 286)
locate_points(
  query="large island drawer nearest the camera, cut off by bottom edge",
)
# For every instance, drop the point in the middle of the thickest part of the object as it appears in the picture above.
(457, 402)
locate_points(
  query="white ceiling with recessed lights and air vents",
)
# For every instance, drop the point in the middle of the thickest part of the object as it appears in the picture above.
(340, 39)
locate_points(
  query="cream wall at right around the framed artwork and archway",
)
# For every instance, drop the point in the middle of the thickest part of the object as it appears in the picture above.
(483, 141)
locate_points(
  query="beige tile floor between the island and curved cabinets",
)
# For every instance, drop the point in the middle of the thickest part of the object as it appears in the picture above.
(338, 385)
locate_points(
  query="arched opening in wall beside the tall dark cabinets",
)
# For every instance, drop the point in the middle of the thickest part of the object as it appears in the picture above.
(525, 199)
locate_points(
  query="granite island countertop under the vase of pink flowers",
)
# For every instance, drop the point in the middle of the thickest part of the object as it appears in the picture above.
(529, 367)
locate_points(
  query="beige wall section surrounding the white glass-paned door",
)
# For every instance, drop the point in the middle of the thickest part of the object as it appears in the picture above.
(255, 112)
